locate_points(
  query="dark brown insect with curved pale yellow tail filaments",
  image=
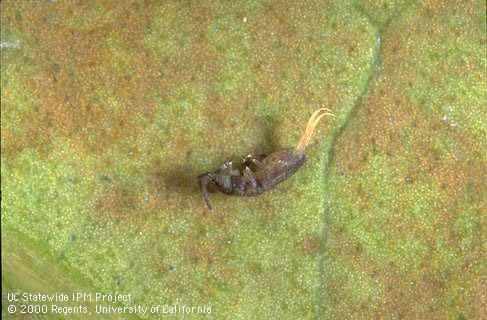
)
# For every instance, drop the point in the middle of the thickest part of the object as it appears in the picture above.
(260, 172)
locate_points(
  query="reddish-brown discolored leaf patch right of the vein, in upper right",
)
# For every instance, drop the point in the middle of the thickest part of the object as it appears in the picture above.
(391, 124)
